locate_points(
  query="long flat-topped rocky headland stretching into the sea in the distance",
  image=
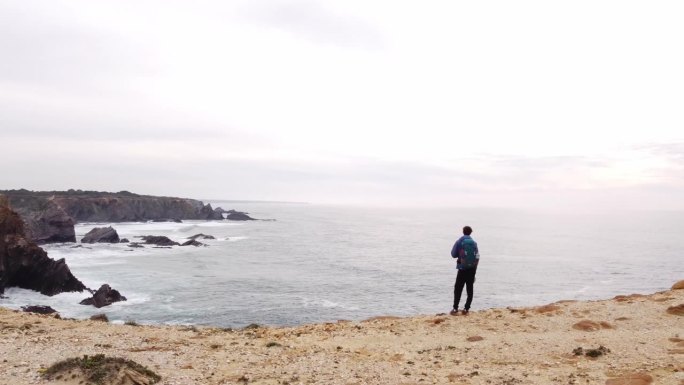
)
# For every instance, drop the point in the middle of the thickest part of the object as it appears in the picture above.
(50, 215)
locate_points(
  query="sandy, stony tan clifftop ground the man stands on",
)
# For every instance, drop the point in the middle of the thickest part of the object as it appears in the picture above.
(497, 346)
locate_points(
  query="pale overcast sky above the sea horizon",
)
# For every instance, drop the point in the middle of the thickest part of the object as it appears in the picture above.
(519, 104)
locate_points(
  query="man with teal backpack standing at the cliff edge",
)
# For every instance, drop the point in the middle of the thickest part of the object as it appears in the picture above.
(467, 257)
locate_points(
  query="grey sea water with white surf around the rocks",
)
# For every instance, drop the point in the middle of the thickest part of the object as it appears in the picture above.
(324, 263)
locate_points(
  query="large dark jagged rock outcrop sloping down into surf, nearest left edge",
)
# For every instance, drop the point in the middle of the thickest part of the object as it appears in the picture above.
(24, 264)
